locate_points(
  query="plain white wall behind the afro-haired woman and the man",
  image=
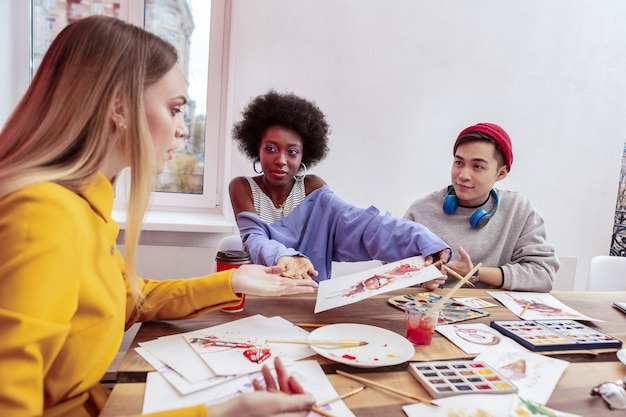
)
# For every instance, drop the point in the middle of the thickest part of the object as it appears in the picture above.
(398, 80)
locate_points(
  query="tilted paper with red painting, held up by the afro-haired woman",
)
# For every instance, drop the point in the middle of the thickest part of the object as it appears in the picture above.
(349, 289)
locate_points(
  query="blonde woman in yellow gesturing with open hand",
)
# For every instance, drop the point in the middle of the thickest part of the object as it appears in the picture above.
(107, 96)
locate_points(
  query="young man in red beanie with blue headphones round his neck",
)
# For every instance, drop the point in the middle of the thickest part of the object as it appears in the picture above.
(498, 228)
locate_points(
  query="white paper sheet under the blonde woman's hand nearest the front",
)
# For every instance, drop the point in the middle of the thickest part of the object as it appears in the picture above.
(160, 396)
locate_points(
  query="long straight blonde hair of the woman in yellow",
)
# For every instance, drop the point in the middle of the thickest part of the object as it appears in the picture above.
(61, 130)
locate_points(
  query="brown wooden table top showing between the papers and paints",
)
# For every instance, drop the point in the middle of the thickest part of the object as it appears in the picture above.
(572, 394)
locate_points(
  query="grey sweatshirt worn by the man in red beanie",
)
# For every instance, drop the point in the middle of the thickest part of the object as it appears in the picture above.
(514, 239)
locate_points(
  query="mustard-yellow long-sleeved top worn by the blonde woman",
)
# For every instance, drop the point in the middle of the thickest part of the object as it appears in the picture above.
(64, 302)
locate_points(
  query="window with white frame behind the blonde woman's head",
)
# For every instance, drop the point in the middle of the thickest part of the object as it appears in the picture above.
(198, 29)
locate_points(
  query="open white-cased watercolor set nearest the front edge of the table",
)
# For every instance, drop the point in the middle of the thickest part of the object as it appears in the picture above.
(447, 378)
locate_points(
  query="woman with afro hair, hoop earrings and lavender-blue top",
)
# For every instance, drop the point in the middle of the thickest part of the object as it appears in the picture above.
(293, 220)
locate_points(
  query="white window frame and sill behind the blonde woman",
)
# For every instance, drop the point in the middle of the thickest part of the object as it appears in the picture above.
(174, 212)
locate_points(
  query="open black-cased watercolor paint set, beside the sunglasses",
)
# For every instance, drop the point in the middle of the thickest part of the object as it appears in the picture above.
(548, 335)
